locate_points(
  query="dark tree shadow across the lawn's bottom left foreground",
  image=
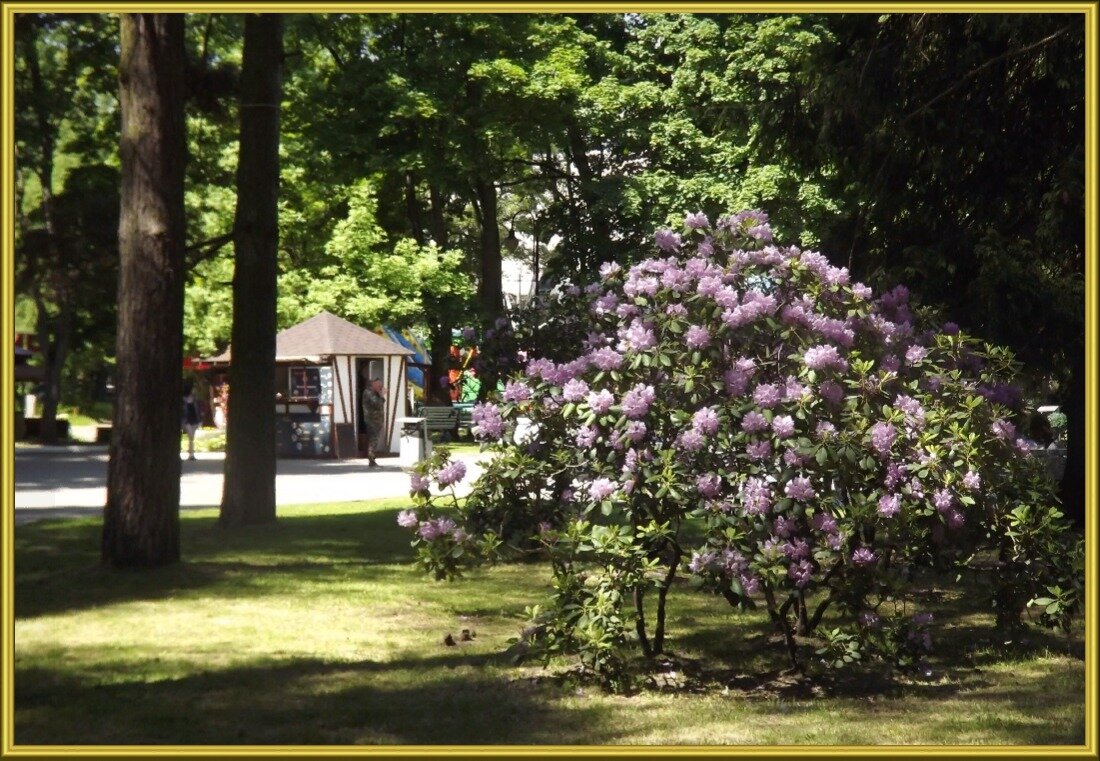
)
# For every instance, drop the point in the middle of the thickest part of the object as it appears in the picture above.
(448, 700)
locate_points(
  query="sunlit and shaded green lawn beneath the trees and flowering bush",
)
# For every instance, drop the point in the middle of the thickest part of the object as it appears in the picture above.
(320, 631)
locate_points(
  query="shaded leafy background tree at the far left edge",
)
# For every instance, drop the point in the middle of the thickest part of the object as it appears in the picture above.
(65, 118)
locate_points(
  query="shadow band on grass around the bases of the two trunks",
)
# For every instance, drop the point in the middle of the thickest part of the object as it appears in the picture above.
(59, 570)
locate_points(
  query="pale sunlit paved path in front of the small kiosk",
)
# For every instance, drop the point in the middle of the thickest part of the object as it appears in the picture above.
(72, 481)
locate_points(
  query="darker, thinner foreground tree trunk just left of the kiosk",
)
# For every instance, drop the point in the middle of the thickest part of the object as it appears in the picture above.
(249, 492)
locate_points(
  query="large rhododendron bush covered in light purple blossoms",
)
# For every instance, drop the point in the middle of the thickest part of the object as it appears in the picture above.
(745, 415)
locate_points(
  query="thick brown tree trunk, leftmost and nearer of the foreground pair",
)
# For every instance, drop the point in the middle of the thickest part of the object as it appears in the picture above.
(141, 521)
